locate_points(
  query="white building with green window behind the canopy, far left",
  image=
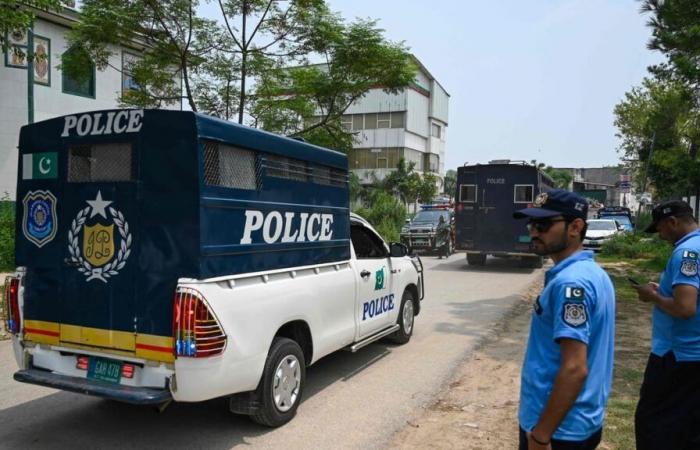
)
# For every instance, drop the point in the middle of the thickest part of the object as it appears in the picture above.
(56, 93)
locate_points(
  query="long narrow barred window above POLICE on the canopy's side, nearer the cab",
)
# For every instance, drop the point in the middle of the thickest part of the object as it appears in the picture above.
(298, 170)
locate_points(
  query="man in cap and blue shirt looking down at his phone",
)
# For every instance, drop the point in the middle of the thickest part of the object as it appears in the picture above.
(668, 412)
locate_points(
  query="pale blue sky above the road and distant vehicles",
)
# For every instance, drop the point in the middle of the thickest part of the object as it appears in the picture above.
(534, 79)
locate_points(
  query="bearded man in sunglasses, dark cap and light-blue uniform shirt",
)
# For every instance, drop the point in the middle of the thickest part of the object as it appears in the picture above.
(568, 365)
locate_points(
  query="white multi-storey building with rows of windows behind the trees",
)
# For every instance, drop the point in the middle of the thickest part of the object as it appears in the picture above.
(411, 125)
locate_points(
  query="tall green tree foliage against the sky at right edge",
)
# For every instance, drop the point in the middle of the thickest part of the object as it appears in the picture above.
(658, 122)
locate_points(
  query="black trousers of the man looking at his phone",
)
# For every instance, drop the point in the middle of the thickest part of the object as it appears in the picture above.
(668, 412)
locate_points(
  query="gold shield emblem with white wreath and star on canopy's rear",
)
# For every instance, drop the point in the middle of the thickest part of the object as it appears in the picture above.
(100, 256)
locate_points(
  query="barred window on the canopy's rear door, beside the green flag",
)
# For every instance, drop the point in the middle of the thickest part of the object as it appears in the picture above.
(100, 162)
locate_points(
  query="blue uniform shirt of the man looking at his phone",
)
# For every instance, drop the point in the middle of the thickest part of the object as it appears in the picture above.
(670, 333)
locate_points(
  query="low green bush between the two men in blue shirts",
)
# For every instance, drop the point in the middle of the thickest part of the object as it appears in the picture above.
(638, 246)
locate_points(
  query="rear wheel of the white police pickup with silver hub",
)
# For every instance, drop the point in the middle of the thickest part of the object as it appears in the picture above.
(282, 383)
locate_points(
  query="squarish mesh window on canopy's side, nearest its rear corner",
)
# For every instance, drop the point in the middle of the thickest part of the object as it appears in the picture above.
(231, 167)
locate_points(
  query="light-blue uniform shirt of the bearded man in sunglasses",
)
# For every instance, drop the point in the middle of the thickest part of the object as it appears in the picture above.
(577, 302)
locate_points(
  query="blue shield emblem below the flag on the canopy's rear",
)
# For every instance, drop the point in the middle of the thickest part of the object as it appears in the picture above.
(39, 219)
